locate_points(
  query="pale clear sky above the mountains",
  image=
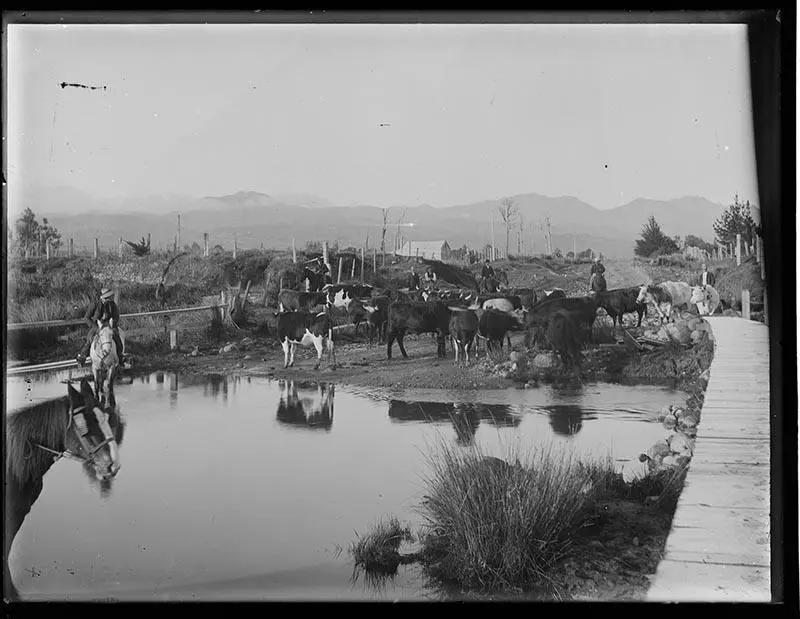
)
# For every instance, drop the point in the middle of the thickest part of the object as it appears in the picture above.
(382, 114)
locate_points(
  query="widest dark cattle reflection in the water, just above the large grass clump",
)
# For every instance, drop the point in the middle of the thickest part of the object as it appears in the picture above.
(465, 417)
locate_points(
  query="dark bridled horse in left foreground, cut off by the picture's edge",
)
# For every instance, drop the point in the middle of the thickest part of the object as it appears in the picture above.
(73, 426)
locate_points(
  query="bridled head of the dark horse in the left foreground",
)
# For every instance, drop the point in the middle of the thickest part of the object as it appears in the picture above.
(89, 436)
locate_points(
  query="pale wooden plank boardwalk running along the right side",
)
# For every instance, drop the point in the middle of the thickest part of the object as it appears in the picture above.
(719, 545)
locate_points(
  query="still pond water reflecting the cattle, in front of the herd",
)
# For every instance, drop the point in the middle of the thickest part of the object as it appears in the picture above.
(241, 489)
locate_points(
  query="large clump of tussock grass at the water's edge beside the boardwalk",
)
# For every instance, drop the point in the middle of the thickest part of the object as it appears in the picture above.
(491, 525)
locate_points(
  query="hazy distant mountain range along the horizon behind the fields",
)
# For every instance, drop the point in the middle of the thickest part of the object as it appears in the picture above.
(256, 218)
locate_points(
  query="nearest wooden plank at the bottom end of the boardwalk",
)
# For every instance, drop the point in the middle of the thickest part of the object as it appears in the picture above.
(685, 581)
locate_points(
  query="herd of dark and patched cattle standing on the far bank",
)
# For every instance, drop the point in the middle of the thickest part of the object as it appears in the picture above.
(467, 317)
